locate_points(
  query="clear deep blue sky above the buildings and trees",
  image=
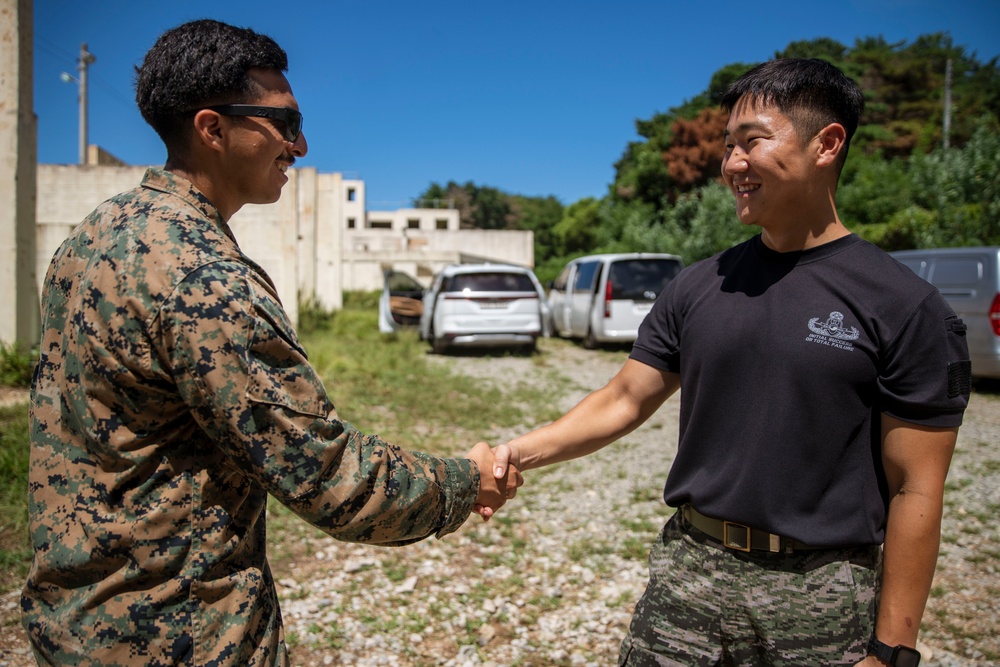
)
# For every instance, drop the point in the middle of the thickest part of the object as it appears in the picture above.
(533, 97)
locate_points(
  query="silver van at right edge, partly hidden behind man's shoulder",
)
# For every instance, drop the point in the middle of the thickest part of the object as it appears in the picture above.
(969, 279)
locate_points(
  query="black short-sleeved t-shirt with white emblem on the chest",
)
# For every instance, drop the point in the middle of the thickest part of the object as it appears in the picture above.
(786, 362)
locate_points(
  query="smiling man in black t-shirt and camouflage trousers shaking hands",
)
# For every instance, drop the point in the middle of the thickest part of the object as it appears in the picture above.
(822, 387)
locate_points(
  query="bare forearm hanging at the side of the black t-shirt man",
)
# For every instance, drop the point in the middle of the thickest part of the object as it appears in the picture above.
(910, 554)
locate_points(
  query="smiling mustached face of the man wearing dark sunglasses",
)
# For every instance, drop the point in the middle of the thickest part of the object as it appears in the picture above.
(259, 155)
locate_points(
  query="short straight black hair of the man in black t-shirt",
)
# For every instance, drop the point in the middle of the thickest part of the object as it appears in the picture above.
(810, 91)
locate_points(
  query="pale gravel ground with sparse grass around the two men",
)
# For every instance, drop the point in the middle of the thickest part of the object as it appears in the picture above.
(553, 579)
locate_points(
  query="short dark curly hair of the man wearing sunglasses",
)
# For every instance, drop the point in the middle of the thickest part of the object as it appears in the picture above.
(197, 64)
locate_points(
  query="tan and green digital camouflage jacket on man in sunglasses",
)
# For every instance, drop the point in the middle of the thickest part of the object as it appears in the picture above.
(172, 395)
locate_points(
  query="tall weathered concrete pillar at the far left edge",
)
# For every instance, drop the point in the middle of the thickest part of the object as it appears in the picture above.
(19, 317)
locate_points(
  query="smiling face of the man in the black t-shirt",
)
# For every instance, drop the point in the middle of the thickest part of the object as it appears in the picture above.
(769, 167)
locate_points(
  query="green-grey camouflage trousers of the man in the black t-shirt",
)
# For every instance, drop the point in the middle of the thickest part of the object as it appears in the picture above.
(709, 605)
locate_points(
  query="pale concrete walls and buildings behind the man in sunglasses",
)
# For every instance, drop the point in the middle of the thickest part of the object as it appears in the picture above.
(302, 240)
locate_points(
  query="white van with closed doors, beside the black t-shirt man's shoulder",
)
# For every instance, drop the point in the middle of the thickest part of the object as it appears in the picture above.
(604, 298)
